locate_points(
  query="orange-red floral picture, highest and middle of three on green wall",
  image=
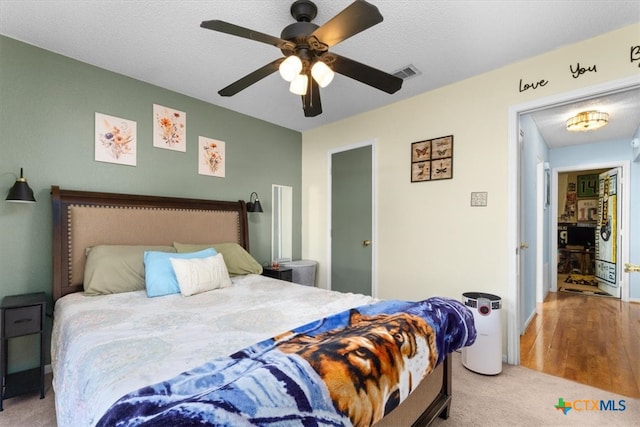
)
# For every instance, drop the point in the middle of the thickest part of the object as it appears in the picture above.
(169, 128)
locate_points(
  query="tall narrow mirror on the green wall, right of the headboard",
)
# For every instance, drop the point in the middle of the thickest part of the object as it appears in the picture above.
(281, 223)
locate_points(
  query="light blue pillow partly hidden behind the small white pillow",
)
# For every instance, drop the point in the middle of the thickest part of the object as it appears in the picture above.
(160, 279)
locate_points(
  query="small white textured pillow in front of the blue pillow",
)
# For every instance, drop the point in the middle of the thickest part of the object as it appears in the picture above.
(198, 275)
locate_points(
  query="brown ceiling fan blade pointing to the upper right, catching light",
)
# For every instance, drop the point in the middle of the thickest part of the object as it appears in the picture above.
(355, 18)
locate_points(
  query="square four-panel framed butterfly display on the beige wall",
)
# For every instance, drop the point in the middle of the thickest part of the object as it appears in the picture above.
(432, 159)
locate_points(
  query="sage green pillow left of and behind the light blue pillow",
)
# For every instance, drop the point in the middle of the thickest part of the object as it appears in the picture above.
(112, 269)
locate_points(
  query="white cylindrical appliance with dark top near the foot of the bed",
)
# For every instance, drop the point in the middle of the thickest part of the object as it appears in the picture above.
(485, 355)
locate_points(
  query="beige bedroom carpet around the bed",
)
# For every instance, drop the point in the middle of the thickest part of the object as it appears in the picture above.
(516, 397)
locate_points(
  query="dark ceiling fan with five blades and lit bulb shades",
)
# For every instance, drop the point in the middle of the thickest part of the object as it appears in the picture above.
(307, 62)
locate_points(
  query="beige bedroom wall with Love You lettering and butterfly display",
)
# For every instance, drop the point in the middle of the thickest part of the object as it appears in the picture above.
(429, 240)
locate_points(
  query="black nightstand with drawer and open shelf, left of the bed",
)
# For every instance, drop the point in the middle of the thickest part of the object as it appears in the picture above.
(21, 315)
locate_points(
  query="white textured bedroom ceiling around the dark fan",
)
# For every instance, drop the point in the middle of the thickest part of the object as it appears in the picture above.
(161, 42)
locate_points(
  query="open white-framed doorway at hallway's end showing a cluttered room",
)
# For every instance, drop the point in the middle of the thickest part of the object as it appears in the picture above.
(595, 248)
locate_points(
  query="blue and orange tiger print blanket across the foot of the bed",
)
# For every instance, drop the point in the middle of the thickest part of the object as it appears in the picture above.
(346, 369)
